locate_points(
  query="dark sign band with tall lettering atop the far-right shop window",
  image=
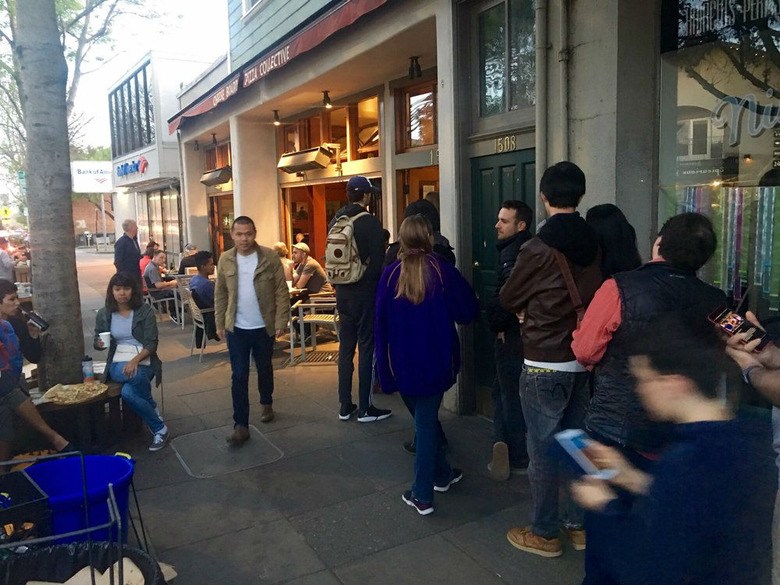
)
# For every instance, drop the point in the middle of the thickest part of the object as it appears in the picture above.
(687, 23)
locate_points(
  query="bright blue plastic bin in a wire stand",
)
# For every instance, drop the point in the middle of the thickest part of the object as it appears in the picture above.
(61, 480)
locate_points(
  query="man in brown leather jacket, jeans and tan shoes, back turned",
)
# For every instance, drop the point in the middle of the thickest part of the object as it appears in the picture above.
(553, 386)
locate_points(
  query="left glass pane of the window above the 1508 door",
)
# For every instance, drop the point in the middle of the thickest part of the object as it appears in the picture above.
(492, 61)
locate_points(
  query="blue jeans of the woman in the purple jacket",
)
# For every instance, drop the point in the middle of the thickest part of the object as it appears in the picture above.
(430, 461)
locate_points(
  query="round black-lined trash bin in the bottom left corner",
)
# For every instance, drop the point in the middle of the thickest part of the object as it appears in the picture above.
(59, 563)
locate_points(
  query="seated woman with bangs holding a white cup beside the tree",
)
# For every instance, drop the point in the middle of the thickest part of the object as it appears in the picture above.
(132, 356)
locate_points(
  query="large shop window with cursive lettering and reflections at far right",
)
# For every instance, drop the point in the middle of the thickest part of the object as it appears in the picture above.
(720, 138)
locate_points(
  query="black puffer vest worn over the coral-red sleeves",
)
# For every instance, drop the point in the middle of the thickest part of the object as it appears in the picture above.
(646, 293)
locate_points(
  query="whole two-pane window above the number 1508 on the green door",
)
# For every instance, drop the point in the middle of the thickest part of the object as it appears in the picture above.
(506, 57)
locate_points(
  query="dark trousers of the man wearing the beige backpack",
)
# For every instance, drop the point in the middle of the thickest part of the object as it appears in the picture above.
(356, 329)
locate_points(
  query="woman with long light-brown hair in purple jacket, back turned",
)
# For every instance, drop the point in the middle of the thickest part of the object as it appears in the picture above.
(419, 300)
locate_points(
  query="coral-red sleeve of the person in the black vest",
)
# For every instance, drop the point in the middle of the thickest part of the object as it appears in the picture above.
(599, 324)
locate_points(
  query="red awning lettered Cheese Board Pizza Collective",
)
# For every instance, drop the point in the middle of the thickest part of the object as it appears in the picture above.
(305, 40)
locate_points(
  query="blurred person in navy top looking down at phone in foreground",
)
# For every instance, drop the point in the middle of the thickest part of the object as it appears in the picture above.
(704, 514)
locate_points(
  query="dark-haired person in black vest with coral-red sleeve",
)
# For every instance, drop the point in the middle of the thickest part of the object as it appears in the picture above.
(627, 305)
